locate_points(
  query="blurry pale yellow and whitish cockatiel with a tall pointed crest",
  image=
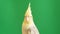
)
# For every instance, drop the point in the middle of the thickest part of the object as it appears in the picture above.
(28, 26)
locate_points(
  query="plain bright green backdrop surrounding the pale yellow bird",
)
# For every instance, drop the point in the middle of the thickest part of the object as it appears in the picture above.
(46, 14)
